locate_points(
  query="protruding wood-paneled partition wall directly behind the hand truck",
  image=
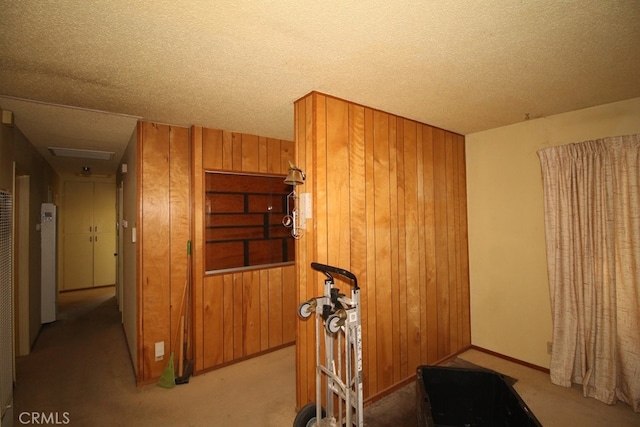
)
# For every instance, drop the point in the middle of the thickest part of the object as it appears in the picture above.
(389, 204)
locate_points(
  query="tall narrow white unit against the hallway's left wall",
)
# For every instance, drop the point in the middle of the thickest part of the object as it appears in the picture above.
(49, 267)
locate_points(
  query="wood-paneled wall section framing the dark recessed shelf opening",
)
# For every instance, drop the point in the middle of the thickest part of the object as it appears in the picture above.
(243, 313)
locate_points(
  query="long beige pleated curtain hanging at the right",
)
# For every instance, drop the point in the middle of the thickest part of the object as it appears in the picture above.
(592, 226)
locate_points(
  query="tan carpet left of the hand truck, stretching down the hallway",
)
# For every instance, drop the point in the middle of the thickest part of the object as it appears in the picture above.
(79, 370)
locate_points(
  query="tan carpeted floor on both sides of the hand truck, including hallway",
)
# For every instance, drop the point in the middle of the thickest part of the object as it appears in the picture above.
(79, 372)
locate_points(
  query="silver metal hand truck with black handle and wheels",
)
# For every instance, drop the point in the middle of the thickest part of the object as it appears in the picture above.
(342, 368)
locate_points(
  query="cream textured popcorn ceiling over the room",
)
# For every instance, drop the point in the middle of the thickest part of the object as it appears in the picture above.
(239, 65)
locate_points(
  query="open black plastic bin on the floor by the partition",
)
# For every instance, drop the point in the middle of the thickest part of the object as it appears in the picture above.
(451, 396)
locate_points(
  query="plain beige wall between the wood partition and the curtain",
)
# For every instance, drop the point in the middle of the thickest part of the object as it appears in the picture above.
(510, 308)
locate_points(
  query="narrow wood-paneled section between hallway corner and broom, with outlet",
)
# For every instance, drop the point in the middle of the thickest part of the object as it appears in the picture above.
(163, 232)
